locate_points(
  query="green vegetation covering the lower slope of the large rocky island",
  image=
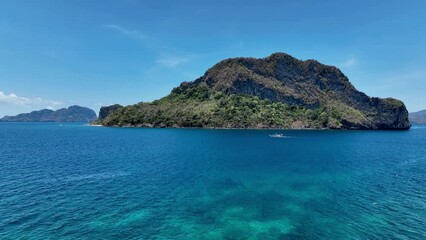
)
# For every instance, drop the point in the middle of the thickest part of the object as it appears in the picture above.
(202, 107)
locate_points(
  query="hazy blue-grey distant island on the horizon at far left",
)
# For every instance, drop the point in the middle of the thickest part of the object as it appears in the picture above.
(70, 114)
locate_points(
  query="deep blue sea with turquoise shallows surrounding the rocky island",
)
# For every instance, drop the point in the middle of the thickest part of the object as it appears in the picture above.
(79, 182)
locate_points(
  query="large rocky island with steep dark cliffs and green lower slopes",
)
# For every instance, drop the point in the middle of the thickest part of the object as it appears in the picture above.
(278, 91)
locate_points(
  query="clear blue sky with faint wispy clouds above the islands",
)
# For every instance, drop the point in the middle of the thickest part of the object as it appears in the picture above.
(94, 53)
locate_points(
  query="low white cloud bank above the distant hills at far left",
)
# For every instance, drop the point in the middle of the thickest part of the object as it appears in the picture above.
(24, 101)
